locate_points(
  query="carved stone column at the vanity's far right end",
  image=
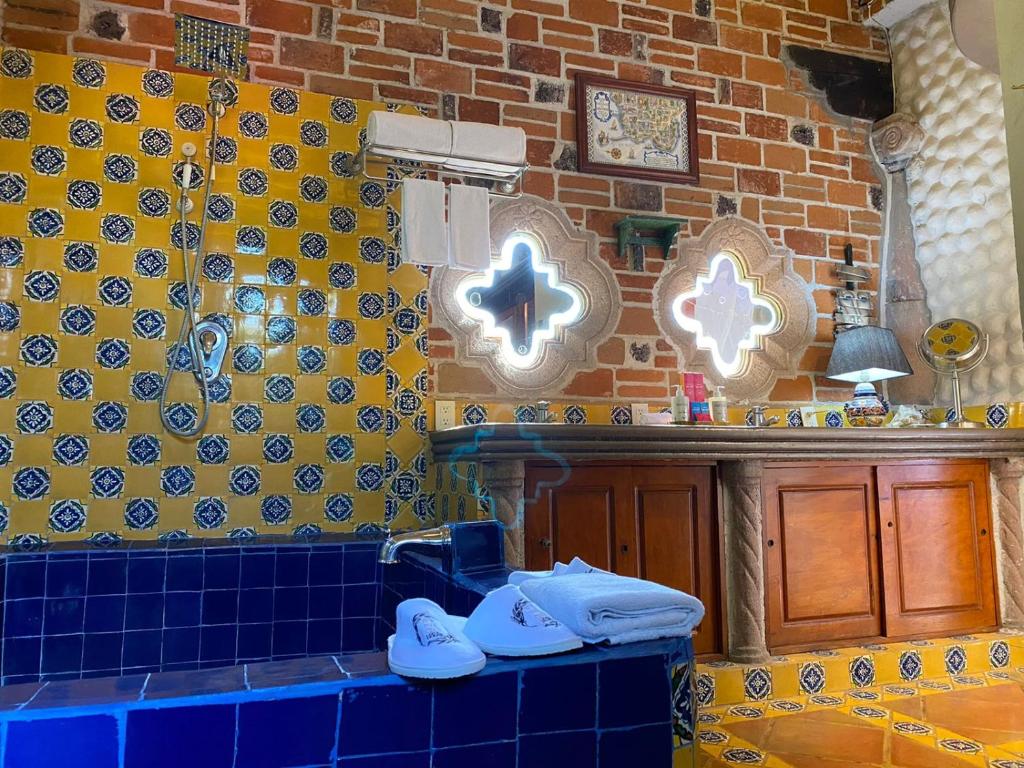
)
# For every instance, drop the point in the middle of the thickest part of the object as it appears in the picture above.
(1007, 475)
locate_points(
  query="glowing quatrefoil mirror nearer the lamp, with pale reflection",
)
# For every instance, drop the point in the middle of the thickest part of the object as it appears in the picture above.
(727, 314)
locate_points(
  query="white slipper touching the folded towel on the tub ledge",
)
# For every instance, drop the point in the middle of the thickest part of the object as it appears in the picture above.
(508, 624)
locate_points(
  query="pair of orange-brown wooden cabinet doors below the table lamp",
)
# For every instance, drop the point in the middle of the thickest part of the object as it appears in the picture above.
(868, 551)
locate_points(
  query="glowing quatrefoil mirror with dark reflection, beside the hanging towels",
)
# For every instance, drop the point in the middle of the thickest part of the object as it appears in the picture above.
(520, 301)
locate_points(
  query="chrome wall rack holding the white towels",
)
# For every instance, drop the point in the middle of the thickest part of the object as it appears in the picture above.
(508, 179)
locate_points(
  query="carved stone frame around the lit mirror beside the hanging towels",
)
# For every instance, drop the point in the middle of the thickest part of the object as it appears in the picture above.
(575, 257)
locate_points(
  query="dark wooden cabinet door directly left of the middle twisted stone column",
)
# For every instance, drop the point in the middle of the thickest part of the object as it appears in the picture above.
(675, 528)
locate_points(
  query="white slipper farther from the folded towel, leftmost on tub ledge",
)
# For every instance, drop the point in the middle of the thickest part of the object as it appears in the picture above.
(429, 645)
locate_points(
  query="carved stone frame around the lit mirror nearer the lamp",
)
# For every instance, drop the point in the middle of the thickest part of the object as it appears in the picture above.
(771, 269)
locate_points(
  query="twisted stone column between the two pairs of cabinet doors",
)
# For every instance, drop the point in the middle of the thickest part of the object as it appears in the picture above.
(745, 561)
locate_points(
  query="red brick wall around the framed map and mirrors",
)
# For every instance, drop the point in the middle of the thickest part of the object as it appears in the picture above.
(771, 151)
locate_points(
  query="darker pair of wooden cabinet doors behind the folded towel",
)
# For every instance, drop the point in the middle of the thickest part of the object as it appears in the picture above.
(656, 522)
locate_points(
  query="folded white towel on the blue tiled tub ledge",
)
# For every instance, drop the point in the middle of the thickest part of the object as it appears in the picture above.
(618, 610)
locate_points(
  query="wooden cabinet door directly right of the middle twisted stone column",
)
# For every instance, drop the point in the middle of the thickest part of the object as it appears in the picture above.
(821, 546)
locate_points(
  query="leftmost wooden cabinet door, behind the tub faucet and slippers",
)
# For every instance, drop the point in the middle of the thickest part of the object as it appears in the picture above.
(573, 513)
